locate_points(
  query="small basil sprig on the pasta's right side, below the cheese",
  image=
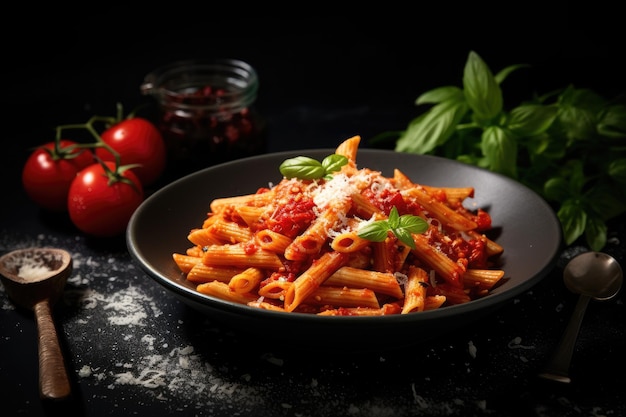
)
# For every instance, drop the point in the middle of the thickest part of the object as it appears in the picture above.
(400, 226)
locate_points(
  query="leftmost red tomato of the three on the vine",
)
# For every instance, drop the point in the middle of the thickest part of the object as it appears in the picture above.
(49, 171)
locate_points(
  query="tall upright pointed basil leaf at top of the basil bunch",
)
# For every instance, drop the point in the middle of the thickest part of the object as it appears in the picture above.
(482, 92)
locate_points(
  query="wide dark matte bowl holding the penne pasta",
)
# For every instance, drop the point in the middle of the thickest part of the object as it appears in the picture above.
(524, 224)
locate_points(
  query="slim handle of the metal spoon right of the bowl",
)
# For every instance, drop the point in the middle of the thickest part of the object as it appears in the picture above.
(558, 367)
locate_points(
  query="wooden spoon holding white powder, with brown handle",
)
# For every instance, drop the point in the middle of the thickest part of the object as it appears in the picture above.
(34, 278)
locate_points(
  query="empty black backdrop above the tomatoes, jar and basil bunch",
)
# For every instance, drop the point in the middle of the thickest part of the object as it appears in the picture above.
(322, 79)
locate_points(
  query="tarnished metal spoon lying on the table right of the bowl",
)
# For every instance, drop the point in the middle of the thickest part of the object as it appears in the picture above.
(592, 275)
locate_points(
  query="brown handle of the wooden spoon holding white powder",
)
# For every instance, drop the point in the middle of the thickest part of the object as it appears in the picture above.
(53, 381)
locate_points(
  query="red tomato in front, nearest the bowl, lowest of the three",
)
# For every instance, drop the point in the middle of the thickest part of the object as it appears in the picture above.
(101, 202)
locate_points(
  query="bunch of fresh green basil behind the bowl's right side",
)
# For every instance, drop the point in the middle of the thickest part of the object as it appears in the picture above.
(569, 146)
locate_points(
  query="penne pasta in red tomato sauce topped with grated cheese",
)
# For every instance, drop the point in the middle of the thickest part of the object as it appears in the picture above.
(295, 246)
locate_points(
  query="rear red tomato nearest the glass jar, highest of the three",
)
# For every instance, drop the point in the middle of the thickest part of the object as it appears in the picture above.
(137, 141)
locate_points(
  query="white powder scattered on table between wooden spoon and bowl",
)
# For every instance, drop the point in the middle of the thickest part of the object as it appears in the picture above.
(167, 373)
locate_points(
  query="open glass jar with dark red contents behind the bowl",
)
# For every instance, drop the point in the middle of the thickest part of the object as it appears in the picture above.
(206, 112)
